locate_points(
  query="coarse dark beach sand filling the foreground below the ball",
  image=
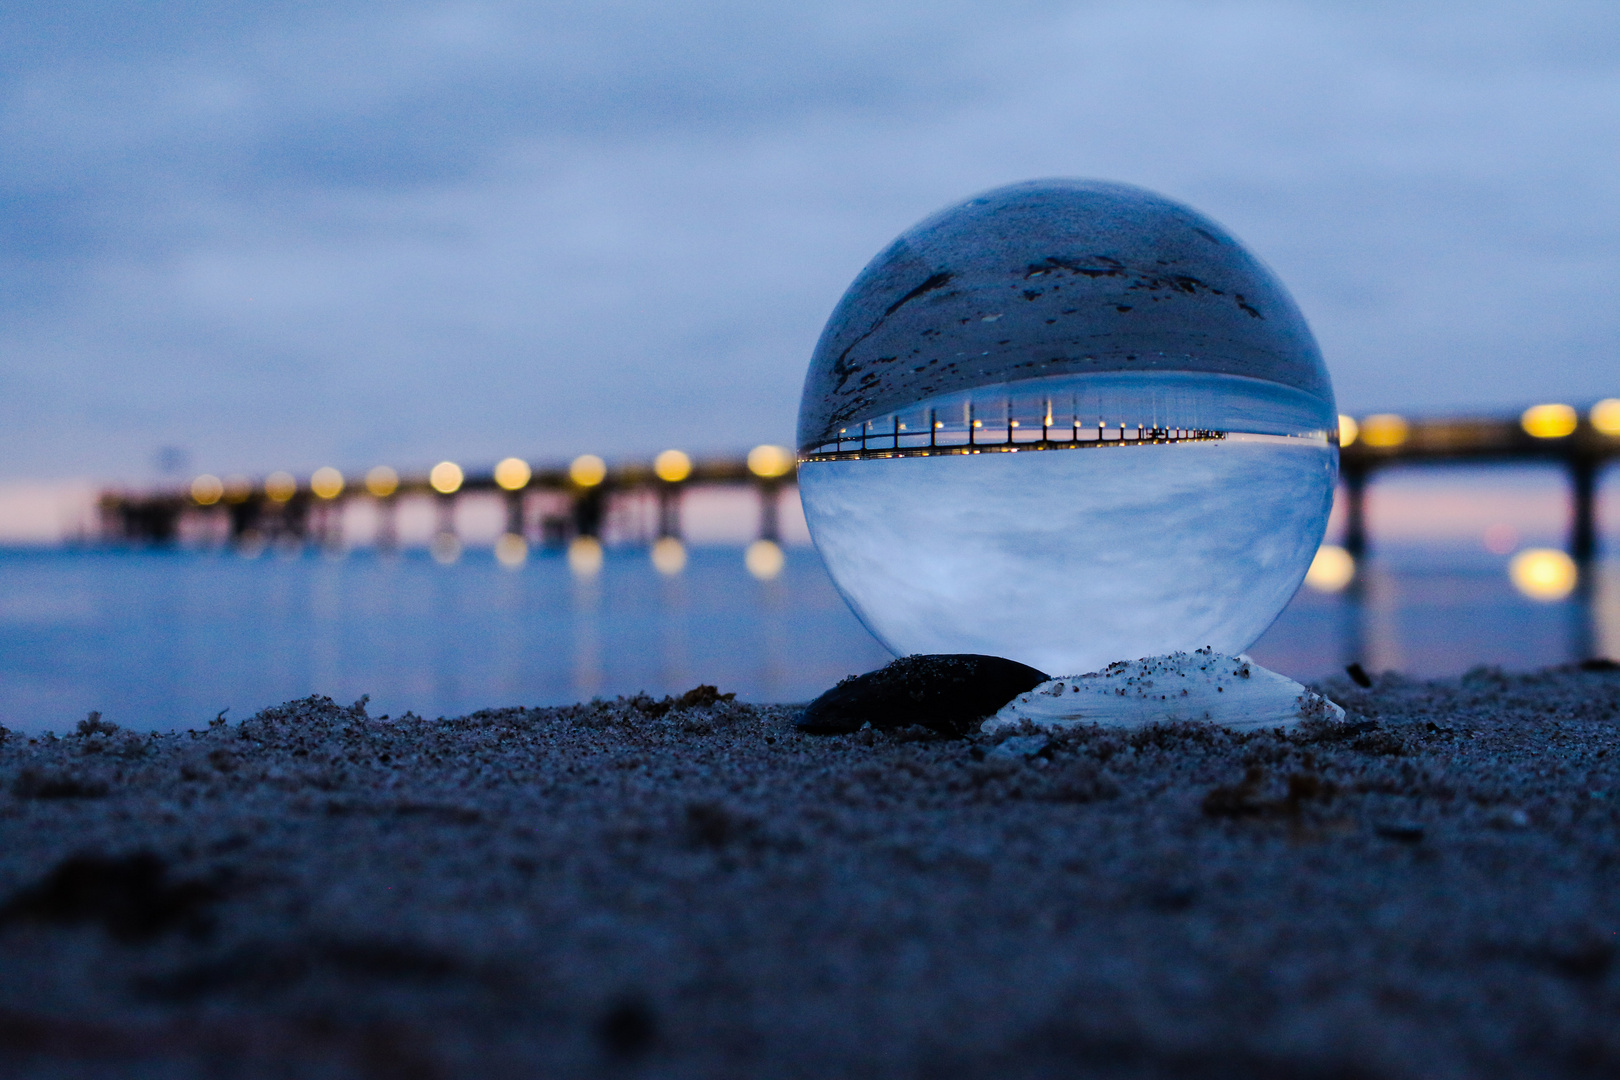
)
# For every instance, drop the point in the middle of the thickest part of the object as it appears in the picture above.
(660, 890)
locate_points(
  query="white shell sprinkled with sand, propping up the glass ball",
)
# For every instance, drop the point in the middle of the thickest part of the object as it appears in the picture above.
(1208, 687)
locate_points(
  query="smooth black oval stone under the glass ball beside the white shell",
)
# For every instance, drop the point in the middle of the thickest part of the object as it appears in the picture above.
(945, 692)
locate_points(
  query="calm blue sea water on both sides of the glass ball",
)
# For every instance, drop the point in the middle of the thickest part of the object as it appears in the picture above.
(168, 640)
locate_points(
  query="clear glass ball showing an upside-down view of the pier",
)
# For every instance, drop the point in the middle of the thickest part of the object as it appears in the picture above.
(1067, 423)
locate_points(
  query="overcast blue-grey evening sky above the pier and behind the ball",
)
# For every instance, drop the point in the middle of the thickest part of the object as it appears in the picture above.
(284, 234)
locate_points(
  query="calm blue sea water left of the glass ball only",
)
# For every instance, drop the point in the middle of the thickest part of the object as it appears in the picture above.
(171, 639)
